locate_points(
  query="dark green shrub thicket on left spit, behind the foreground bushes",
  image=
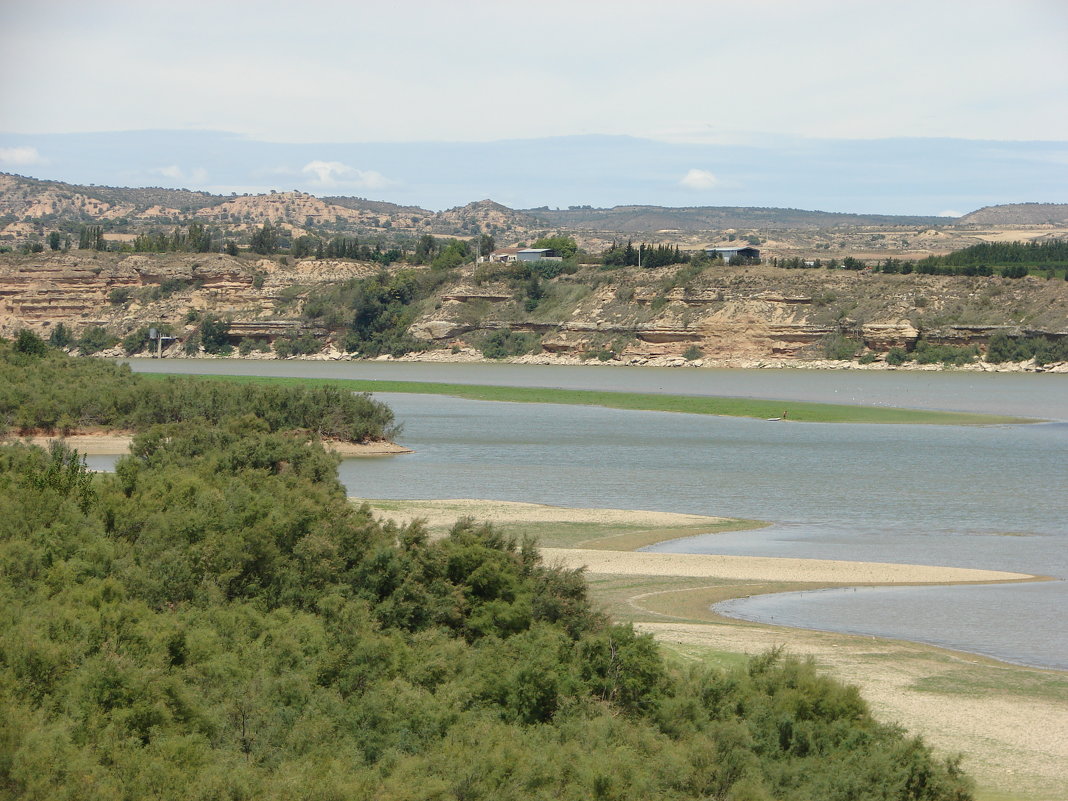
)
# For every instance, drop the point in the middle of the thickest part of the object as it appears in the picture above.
(59, 392)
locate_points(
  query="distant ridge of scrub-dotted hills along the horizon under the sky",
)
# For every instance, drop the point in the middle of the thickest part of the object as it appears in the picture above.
(28, 205)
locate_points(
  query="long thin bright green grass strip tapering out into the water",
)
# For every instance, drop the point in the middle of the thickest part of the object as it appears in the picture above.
(736, 407)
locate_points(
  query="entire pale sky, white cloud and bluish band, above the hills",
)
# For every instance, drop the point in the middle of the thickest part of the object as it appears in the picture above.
(703, 77)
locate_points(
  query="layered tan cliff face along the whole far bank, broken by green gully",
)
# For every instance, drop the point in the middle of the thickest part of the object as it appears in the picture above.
(727, 312)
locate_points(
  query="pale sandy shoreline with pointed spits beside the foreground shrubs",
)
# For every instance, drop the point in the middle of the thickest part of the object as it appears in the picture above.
(1009, 723)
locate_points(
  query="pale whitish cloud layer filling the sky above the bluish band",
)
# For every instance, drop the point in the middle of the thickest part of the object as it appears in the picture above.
(432, 70)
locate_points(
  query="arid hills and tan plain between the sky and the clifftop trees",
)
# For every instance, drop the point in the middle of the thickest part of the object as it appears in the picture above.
(33, 210)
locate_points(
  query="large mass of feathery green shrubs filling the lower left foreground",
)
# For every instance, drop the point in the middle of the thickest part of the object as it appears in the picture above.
(216, 621)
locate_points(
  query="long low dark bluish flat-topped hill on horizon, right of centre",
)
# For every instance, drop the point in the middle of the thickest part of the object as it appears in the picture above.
(651, 219)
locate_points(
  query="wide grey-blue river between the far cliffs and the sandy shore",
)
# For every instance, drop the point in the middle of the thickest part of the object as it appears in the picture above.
(991, 497)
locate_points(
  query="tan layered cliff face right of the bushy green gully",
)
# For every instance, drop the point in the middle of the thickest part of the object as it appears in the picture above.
(737, 313)
